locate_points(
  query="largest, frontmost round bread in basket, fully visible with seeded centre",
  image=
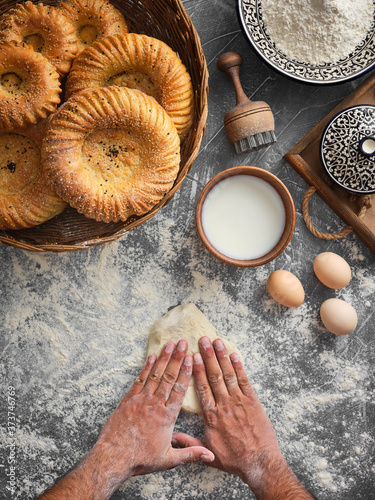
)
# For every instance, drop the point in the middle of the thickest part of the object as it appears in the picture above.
(111, 153)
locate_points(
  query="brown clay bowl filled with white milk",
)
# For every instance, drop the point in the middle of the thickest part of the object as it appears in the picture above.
(245, 216)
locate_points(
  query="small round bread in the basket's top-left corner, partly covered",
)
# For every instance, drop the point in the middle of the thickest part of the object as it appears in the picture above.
(45, 29)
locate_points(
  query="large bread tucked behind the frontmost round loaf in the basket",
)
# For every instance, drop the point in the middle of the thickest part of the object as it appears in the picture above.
(140, 62)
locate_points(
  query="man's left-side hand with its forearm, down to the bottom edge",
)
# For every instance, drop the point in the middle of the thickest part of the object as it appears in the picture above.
(137, 436)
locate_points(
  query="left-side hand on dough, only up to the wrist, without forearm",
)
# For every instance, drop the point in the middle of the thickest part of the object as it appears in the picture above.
(137, 437)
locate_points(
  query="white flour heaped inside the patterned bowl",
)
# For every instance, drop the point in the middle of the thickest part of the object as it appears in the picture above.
(317, 31)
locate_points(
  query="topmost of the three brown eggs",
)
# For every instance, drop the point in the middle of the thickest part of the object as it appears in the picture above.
(332, 270)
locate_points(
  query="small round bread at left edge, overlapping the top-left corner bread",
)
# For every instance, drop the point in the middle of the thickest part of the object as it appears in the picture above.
(29, 86)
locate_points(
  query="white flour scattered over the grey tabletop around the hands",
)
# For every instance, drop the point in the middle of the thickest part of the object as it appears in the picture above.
(75, 335)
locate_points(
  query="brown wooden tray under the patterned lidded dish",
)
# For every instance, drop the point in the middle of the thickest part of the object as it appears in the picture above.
(305, 159)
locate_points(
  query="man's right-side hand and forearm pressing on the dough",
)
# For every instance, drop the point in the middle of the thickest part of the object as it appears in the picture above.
(237, 428)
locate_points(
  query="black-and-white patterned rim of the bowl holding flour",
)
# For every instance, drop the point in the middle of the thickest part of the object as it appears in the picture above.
(353, 66)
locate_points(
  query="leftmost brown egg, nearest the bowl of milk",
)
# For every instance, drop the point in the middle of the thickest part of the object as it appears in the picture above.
(286, 288)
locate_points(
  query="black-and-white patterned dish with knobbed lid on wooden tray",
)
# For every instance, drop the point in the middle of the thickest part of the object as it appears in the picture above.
(347, 149)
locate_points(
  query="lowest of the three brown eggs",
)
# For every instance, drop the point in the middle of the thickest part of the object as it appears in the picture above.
(338, 316)
